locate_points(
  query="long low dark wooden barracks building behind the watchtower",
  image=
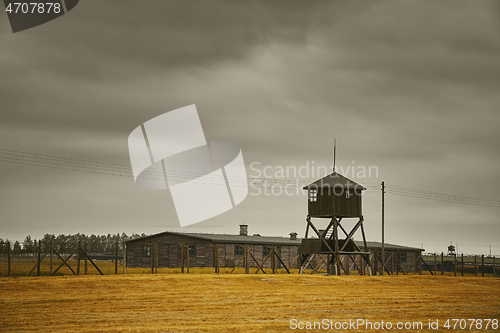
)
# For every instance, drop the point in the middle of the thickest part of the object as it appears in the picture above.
(231, 250)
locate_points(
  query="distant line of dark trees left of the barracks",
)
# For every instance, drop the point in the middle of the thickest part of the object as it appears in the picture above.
(68, 243)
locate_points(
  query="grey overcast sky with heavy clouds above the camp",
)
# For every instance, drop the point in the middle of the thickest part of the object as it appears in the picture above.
(411, 87)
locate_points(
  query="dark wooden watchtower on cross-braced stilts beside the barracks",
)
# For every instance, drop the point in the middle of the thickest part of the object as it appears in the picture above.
(336, 198)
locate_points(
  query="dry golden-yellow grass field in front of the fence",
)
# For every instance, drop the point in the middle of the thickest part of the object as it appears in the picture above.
(238, 303)
